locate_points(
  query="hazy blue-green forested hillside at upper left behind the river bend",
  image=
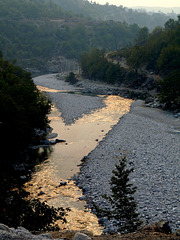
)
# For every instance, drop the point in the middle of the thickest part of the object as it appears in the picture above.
(34, 32)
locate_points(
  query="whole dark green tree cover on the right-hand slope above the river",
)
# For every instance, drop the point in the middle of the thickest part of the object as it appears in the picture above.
(156, 53)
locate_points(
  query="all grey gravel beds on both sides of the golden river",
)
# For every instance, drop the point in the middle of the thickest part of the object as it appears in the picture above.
(150, 138)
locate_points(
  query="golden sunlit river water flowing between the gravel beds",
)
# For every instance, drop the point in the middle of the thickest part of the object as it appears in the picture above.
(65, 160)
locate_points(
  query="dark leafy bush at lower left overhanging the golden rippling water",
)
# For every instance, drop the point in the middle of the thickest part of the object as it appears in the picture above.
(16, 210)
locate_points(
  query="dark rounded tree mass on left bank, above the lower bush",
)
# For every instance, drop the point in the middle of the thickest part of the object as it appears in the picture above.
(23, 109)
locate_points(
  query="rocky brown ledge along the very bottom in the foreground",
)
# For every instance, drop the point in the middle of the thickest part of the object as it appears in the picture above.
(151, 232)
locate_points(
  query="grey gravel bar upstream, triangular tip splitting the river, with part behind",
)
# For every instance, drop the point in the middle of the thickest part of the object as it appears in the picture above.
(72, 106)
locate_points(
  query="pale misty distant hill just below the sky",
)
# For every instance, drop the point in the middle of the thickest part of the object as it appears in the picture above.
(111, 12)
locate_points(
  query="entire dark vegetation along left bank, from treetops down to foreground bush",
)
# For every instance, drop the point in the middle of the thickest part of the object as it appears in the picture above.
(23, 112)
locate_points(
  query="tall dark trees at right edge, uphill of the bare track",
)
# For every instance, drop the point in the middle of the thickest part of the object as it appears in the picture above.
(158, 50)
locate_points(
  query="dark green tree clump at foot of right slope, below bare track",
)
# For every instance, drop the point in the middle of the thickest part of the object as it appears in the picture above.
(95, 65)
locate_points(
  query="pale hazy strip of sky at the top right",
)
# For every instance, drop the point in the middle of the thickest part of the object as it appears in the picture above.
(149, 3)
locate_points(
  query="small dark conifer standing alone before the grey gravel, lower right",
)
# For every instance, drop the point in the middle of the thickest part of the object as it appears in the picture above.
(122, 200)
